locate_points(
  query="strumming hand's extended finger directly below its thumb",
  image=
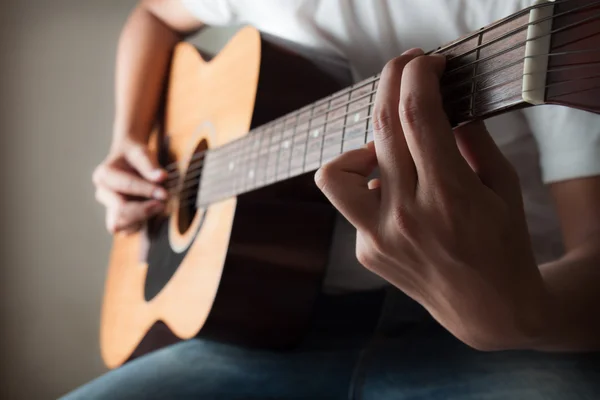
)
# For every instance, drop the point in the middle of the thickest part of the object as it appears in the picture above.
(127, 183)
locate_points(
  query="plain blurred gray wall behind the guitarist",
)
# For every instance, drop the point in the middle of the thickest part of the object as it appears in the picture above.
(56, 106)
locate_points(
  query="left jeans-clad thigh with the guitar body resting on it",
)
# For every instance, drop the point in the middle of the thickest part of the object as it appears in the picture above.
(198, 369)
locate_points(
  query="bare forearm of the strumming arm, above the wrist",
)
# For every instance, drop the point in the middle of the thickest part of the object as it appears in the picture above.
(144, 50)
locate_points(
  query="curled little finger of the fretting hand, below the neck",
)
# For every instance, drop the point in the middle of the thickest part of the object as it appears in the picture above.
(344, 181)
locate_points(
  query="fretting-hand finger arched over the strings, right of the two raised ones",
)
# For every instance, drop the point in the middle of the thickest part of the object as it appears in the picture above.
(426, 127)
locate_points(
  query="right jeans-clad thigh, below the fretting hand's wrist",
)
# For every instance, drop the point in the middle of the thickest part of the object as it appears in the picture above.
(431, 364)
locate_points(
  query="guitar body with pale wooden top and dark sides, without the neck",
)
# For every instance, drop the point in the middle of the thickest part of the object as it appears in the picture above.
(244, 270)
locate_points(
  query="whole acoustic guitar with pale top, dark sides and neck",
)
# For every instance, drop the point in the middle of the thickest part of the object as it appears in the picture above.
(241, 253)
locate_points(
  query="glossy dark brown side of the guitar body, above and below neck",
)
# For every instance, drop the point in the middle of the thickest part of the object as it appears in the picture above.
(281, 235)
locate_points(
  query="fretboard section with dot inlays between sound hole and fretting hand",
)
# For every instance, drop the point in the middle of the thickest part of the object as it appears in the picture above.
(290, 146)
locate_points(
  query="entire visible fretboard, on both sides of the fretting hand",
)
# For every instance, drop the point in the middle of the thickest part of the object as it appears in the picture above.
(484, 76)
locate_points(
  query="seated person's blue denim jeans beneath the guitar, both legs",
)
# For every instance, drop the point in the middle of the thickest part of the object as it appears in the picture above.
(354, 351)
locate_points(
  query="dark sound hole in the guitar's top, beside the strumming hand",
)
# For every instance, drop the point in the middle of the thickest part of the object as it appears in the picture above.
(189, 188)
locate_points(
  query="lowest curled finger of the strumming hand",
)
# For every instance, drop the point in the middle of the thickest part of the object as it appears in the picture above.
(132, 213)
